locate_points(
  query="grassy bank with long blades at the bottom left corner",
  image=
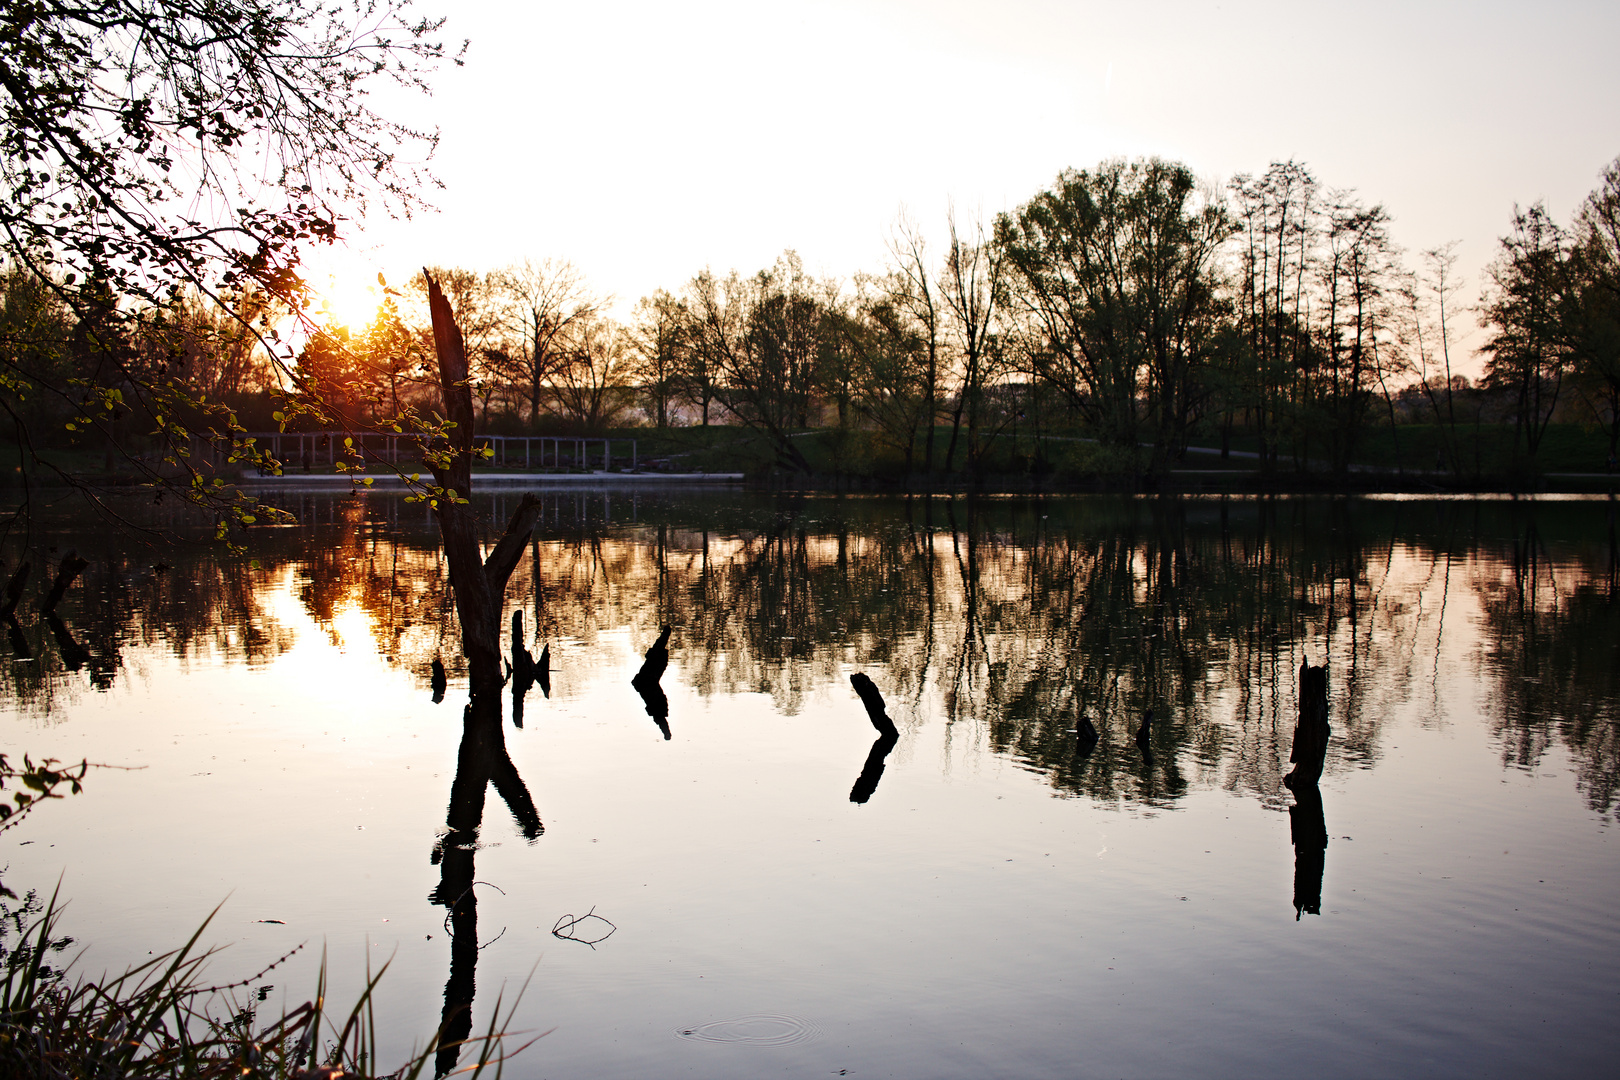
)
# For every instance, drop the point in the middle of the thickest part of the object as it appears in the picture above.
(163, 1021)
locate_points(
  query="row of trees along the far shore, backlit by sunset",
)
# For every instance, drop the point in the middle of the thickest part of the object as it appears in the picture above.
(1130, 307)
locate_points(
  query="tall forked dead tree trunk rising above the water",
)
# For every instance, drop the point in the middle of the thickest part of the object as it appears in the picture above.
(479, 584)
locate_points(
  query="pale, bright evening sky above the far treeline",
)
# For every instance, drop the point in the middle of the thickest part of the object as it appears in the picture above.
(647, 142)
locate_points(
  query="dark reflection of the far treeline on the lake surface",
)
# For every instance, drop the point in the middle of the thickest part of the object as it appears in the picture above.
(1039, 629)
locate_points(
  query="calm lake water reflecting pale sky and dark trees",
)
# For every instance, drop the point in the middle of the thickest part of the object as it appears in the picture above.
(999, 904)
